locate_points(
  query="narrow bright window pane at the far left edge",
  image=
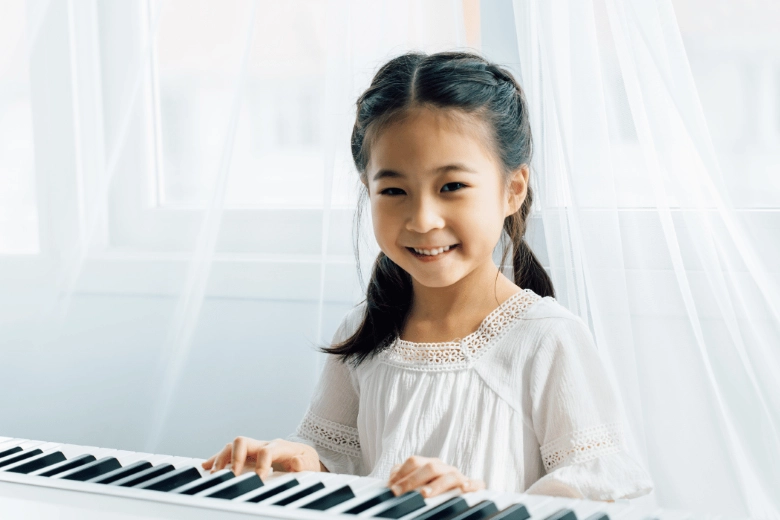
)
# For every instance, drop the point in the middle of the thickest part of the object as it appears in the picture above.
(18, 211)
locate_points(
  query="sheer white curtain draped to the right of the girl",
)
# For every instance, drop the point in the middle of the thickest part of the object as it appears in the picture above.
(645, 240)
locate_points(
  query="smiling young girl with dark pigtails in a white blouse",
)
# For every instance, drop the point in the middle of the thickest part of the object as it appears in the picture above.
(449, 374)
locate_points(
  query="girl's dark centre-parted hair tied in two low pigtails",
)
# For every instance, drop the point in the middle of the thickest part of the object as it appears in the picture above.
(447, 80)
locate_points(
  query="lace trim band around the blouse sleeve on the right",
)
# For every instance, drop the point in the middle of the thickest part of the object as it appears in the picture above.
(583, 445)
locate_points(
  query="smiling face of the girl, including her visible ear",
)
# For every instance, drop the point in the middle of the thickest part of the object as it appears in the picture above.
(433, 183)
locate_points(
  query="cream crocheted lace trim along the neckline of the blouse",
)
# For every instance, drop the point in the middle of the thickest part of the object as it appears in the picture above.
(460, 353)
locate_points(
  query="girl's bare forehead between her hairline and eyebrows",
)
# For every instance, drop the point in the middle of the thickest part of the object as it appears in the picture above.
(425, 137)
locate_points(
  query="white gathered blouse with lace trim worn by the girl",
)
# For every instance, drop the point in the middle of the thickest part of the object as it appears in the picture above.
(522, 403)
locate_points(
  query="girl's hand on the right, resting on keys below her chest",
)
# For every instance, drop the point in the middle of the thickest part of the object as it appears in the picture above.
(432, 474)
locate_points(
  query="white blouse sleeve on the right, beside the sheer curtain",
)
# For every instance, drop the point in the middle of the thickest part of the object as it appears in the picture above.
(577, 421)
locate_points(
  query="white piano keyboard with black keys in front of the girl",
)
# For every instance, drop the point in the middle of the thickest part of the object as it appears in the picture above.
(41, 480)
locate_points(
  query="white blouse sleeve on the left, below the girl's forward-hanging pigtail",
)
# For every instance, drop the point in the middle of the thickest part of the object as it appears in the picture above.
(330, 423)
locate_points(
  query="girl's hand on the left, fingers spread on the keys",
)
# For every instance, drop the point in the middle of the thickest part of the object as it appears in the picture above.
(279, 454)
